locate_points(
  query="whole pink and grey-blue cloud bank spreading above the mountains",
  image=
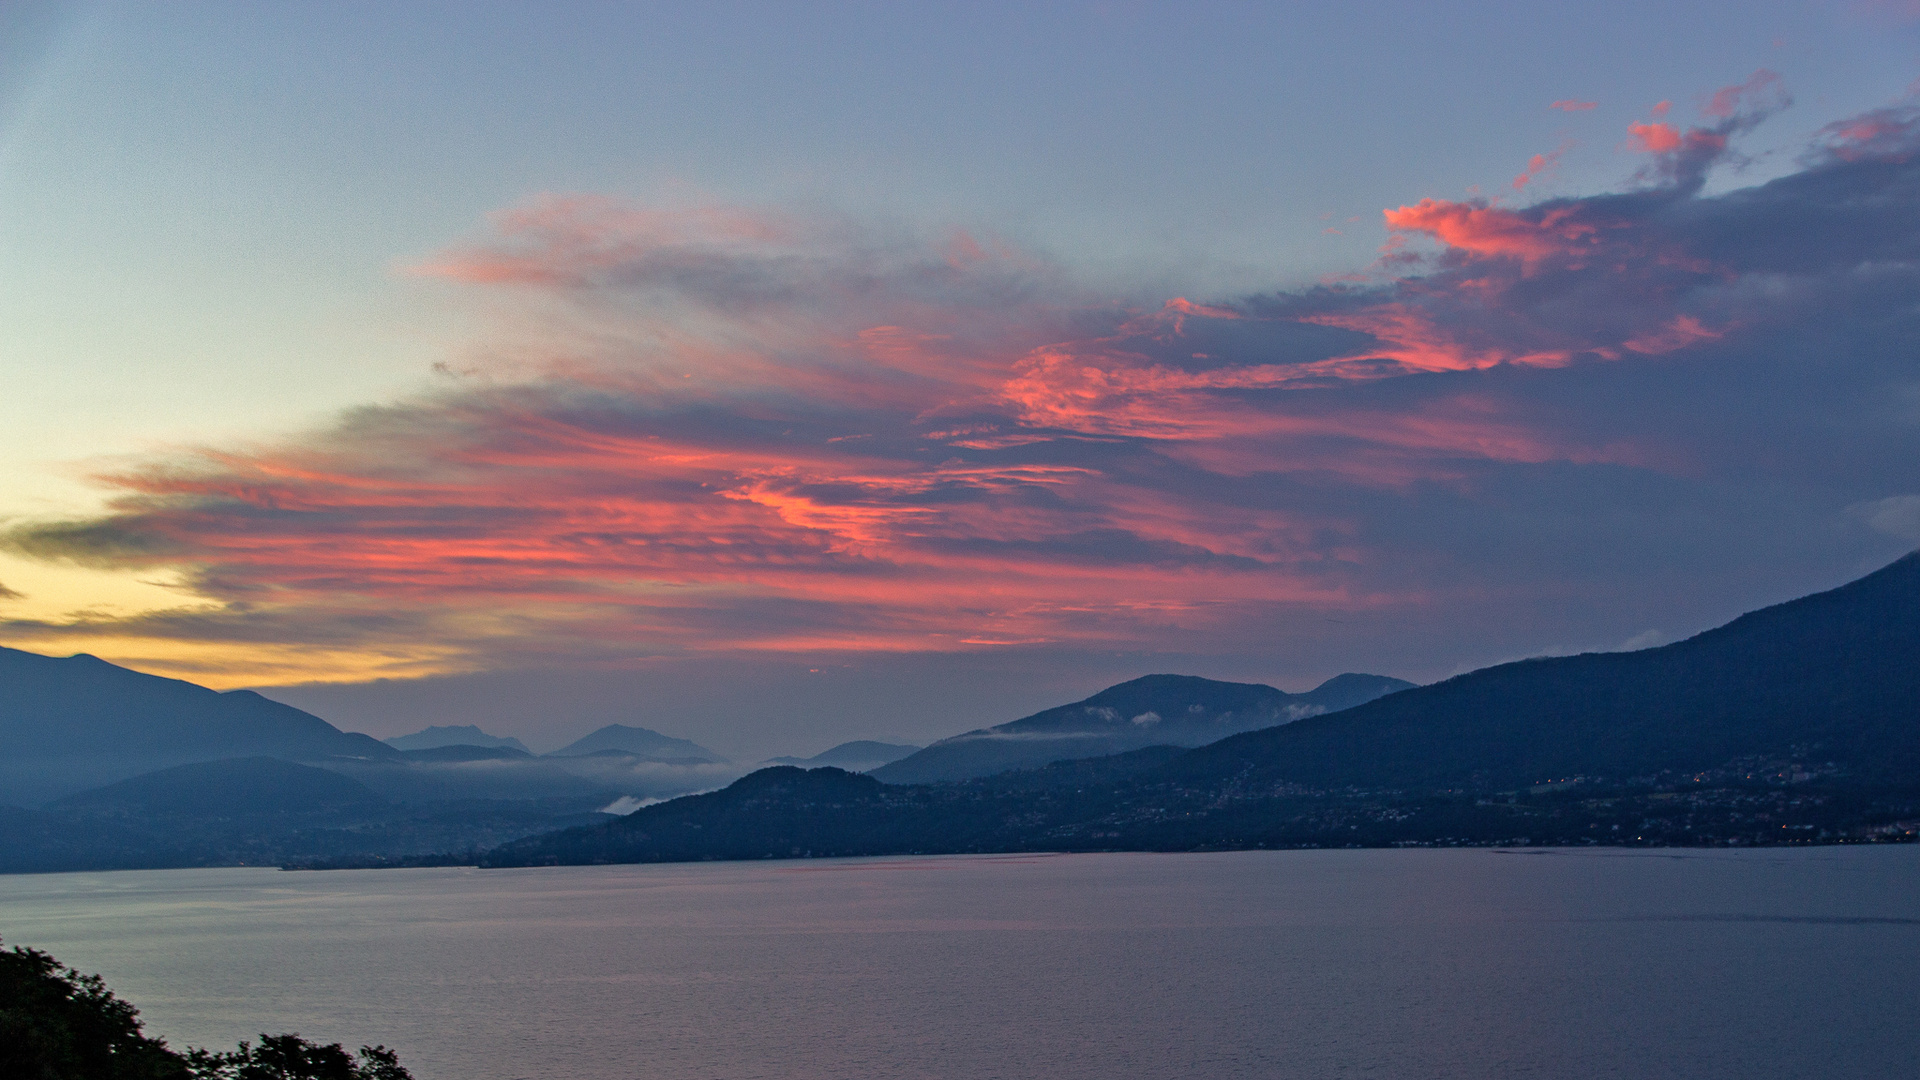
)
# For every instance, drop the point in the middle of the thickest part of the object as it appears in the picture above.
(744, 431)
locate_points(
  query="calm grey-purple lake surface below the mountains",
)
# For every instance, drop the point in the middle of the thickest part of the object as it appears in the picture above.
(1696, 966)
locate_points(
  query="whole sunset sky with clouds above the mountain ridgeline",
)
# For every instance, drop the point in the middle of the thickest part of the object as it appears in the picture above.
(777, 376)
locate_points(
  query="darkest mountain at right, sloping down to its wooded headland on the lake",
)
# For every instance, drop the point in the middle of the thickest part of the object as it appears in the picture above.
(1788, 725)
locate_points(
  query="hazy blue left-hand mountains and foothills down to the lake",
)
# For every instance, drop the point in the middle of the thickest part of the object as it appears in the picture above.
(162, 773)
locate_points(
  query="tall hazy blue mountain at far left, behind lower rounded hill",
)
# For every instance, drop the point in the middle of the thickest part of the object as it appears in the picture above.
(74, 724)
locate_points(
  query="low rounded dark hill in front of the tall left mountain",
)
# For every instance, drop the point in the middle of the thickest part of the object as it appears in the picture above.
(228, 789)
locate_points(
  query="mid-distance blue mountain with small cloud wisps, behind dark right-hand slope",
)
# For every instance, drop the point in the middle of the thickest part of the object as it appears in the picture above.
(1155, 710)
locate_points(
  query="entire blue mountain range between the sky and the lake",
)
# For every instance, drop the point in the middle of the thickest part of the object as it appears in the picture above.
(1800, 722)
